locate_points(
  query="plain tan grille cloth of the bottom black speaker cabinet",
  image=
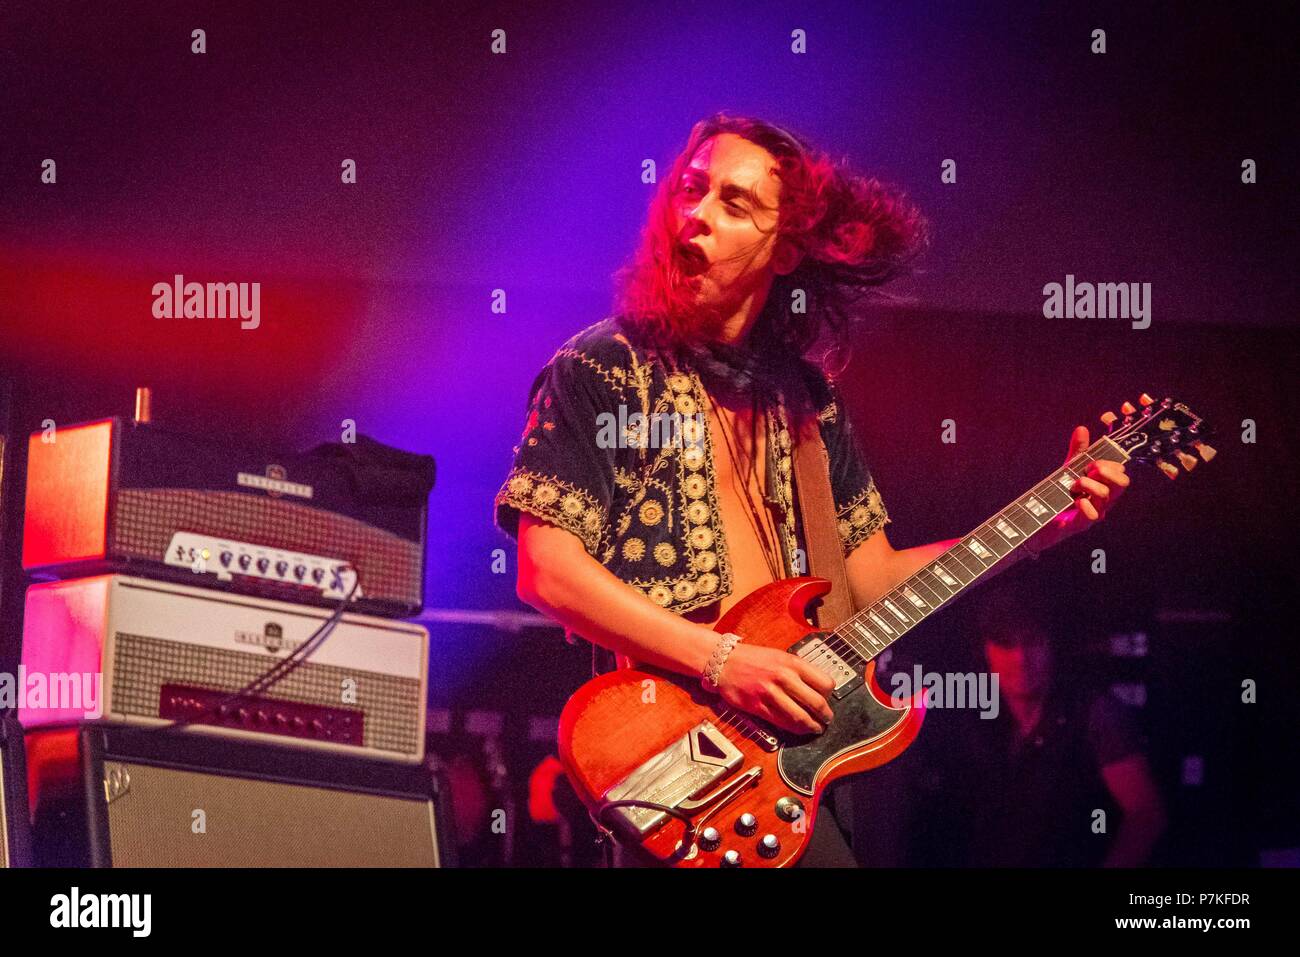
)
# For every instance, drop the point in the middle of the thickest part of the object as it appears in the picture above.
(257, 824)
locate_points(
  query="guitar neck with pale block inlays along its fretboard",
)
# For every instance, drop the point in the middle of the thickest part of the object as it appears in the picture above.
(873, 630)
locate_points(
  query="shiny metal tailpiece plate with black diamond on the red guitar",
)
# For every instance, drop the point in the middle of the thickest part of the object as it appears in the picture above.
(683, 772)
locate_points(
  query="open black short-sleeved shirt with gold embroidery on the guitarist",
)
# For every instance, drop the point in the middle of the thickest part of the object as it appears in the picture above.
(617, 451)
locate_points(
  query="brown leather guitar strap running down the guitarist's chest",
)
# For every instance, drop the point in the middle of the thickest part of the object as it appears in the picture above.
(817, 514)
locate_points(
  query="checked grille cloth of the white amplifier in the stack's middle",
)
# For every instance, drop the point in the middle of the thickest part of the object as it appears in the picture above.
(144, 665)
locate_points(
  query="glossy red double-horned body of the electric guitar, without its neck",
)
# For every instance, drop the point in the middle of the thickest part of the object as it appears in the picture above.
(656, 737)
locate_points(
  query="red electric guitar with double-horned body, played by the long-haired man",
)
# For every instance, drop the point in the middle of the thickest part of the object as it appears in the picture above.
(691, 782)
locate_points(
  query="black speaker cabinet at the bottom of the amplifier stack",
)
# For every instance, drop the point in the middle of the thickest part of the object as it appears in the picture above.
(116, 798)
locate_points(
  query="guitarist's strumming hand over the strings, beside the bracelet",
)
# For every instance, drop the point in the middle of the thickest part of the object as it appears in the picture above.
(778, 687)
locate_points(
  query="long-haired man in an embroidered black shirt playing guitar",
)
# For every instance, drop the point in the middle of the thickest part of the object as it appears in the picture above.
(640, 544)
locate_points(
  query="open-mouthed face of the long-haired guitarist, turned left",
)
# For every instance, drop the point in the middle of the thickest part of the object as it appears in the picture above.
(726, 209)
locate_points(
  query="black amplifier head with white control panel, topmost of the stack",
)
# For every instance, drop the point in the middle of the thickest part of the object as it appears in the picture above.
(305, 527)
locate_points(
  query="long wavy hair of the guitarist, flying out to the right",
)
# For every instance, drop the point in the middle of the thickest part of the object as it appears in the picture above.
(856, 236)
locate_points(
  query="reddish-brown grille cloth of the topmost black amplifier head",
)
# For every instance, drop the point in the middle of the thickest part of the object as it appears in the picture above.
(388, 565)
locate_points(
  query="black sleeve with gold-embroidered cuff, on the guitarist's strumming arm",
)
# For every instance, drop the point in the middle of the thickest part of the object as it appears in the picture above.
(564, 469)
